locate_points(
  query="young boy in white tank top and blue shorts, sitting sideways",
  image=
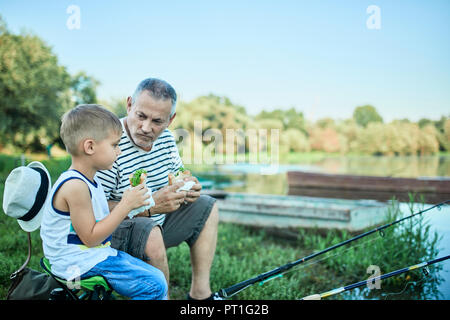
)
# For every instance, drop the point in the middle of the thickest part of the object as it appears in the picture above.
(77, 225)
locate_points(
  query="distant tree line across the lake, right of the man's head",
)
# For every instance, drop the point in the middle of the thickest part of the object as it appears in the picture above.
(364, 133)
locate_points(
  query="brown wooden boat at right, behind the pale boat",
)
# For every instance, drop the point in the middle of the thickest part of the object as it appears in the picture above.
(434, 190)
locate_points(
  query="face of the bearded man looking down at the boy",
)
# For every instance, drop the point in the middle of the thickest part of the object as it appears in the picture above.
(147, 119)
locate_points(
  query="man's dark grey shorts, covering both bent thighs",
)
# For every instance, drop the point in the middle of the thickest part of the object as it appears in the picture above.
(183, 224)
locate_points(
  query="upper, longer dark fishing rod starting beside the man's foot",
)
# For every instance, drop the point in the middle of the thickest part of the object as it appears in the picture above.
(278, 272)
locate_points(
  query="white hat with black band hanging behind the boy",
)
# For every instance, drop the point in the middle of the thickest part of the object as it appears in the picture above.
(26, 190)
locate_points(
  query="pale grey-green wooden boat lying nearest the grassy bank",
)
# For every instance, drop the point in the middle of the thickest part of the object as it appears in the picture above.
(280, 211)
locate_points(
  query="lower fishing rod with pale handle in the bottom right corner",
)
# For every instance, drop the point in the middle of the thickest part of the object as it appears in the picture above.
(371, 280)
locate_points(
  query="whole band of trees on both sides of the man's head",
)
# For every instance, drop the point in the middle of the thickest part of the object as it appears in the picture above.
(35, 90)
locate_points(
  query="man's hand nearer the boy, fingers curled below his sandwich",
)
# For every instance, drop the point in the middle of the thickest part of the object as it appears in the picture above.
(167, 199)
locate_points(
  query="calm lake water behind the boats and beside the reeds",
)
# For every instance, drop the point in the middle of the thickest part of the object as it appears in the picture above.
(272, 179)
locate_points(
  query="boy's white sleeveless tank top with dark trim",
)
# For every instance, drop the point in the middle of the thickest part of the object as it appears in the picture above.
(68, 256)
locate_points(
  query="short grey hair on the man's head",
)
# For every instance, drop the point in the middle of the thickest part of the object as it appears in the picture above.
(158, 89)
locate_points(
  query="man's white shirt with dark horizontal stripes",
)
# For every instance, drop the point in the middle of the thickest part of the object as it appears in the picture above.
(161, 160)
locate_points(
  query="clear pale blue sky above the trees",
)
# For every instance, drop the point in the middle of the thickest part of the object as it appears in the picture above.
(317, 56)
